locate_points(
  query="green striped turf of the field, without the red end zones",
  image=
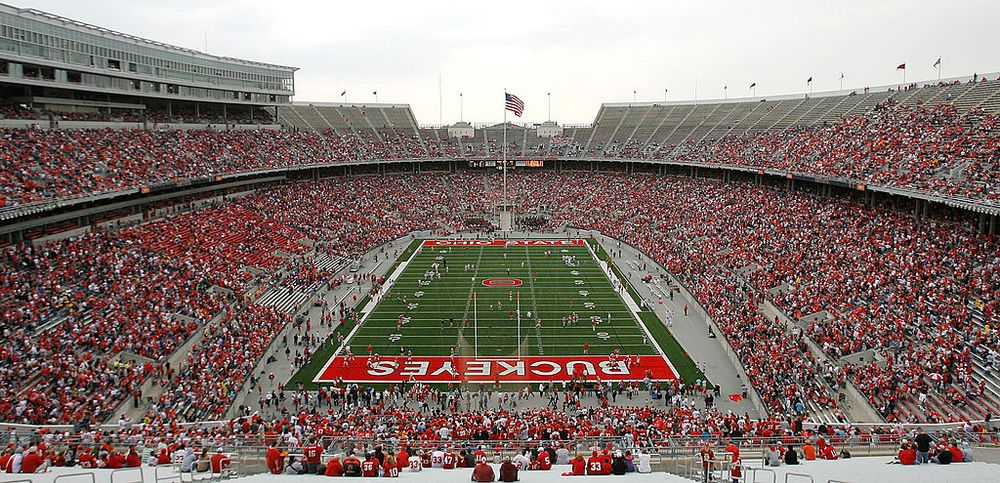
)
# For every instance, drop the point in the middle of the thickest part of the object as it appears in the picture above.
(551, 291)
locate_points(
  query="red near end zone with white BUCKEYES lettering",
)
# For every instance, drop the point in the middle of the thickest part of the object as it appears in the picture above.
(435, 369)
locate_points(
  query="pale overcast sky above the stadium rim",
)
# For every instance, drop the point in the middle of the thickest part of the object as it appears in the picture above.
(583, 52)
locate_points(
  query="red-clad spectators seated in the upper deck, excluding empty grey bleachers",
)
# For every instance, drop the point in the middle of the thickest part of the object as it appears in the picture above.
(934, 149)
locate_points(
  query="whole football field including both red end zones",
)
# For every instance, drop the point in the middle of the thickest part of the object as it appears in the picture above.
(507, 311)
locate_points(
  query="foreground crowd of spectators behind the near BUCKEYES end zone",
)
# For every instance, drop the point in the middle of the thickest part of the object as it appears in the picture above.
(362, 428)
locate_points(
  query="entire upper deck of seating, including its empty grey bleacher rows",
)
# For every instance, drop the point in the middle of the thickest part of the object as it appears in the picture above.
(939, 139)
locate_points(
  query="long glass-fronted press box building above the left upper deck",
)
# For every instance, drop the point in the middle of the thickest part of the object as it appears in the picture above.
(54, 62)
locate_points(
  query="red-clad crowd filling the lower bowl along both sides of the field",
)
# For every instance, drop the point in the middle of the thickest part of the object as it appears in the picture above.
(890, 284)
